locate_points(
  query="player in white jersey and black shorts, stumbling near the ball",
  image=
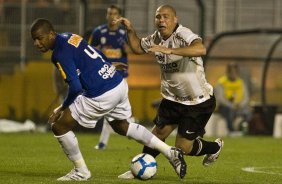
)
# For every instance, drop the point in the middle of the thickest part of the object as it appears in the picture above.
(188, 99)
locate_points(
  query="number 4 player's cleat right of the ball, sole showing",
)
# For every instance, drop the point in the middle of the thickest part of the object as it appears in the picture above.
(178, 162)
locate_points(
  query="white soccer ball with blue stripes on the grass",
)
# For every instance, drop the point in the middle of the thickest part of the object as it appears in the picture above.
(143, 166)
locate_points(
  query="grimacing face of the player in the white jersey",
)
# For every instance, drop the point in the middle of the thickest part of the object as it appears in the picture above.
(165, 21)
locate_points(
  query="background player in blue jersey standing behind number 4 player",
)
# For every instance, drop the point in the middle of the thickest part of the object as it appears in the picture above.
(111, 39)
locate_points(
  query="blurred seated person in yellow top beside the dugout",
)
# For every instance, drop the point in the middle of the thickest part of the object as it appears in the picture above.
(233, 97)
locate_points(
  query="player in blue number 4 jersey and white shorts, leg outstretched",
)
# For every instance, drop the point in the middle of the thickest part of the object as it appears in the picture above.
(95, 90)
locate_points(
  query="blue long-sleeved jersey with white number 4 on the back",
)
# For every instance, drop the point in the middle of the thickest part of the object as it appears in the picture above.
(84, 68)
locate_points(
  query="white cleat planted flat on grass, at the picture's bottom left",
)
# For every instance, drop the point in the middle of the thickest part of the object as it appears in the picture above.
(75, 175)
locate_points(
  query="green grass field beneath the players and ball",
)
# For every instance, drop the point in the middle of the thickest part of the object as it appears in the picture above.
(29, 158)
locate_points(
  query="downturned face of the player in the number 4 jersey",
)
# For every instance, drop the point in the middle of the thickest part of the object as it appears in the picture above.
(42, 40)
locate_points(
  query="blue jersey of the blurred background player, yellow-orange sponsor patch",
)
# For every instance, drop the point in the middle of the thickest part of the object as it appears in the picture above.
(111, 44)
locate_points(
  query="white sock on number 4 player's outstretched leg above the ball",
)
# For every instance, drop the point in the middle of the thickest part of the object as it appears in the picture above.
(144, 136)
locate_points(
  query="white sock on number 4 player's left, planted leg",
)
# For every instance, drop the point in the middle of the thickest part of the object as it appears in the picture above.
(70, 146)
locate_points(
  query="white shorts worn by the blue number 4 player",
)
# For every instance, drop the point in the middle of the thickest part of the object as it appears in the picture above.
(113, 105)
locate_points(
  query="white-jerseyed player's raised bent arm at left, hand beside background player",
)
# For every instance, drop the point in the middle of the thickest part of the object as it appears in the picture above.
(134, 40)
